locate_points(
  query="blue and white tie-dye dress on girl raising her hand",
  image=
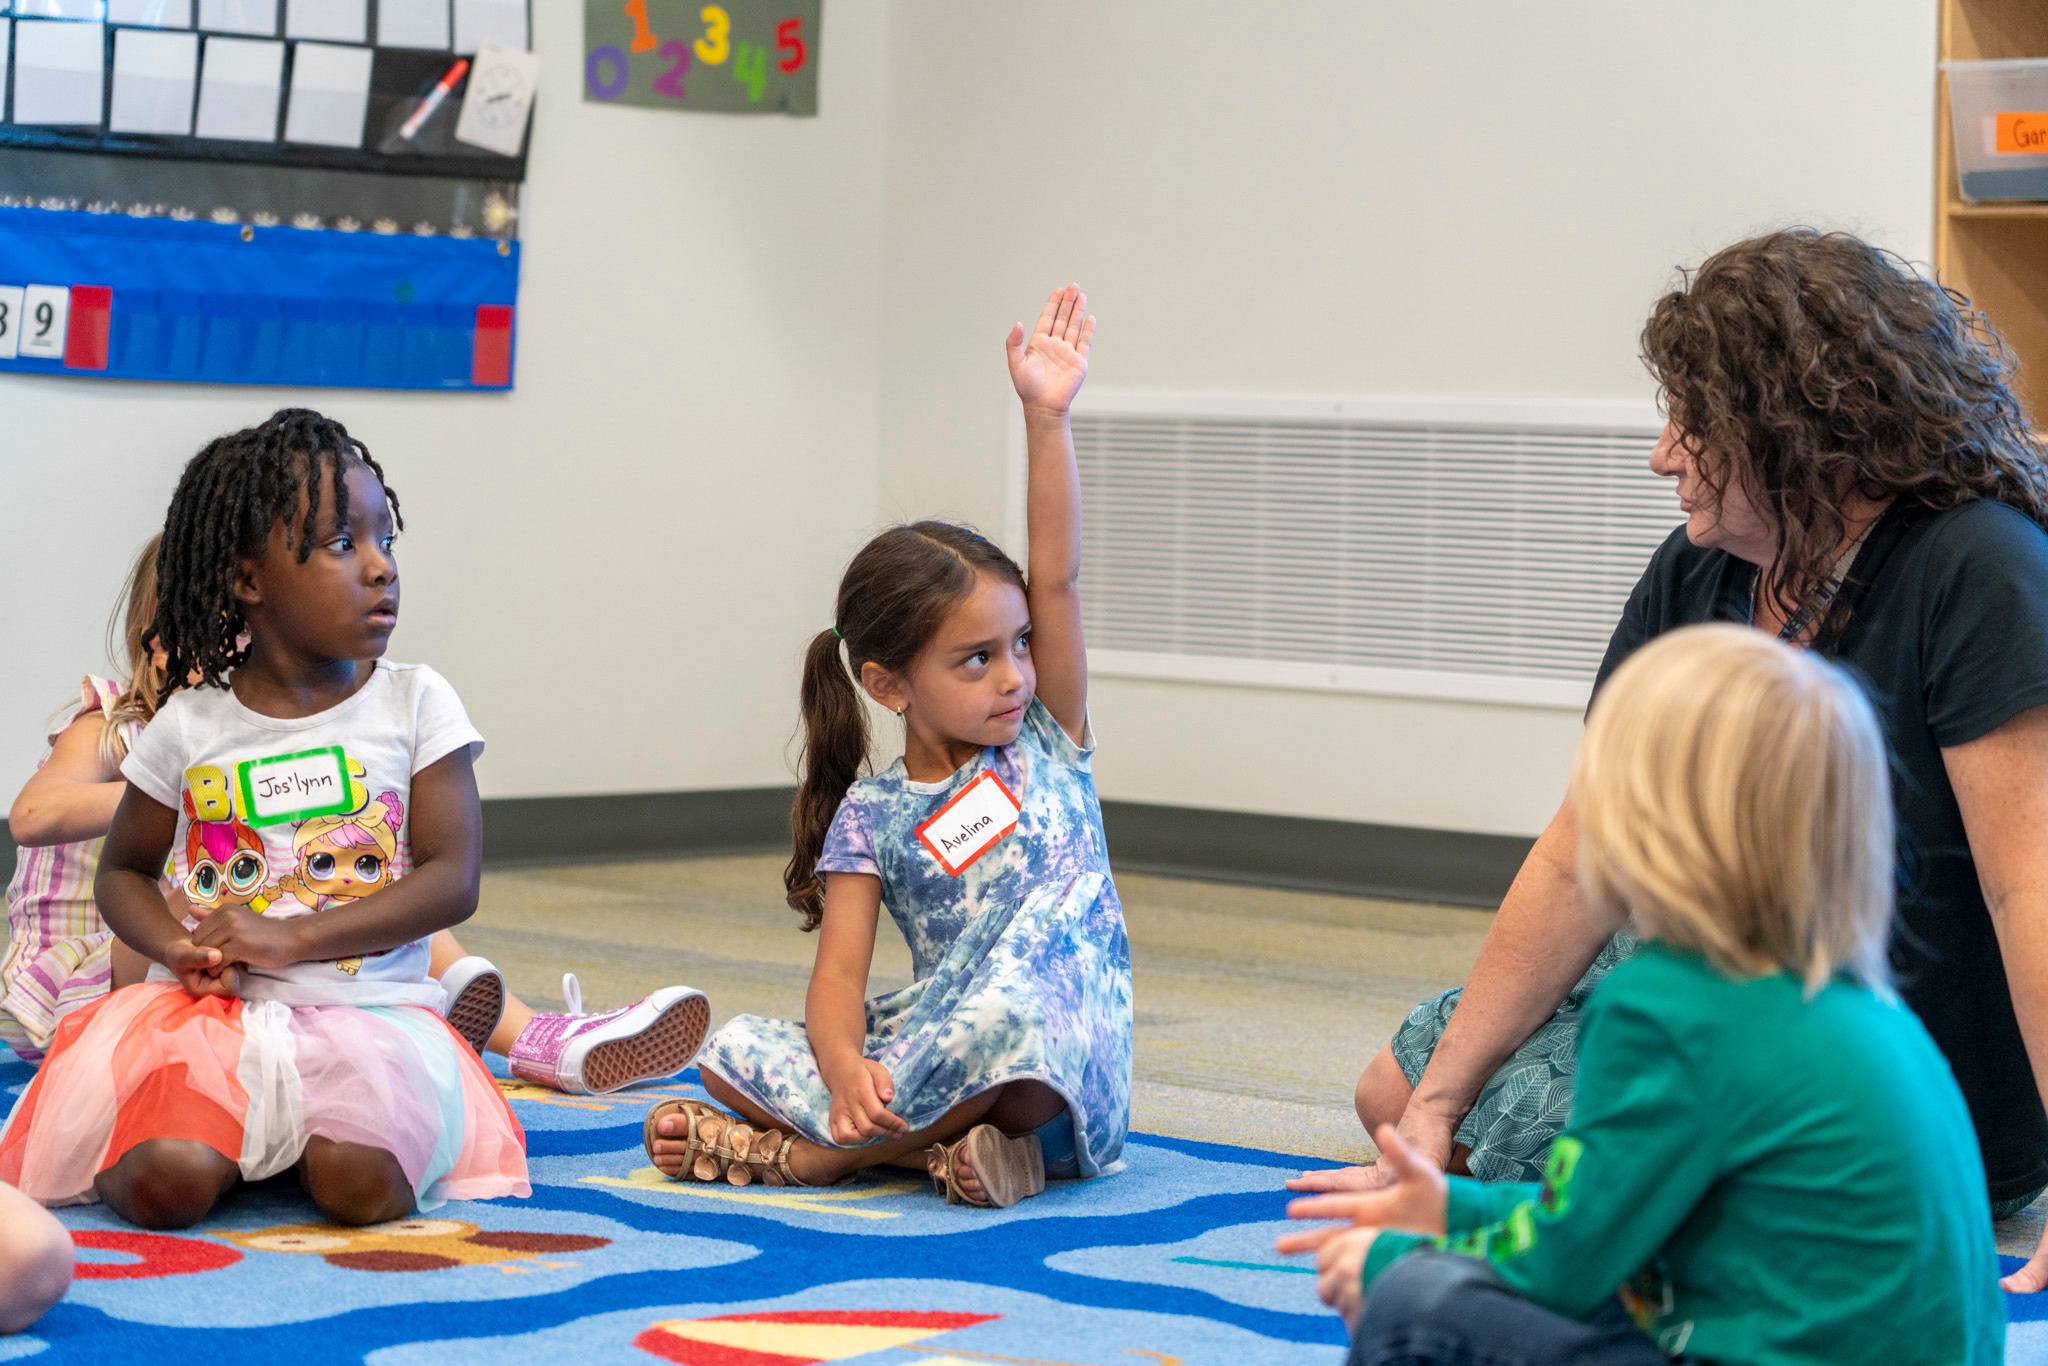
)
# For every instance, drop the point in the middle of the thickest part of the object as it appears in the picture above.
(1023, 968)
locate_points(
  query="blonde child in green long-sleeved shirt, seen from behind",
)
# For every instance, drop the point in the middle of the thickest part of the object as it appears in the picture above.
(1768, 1162)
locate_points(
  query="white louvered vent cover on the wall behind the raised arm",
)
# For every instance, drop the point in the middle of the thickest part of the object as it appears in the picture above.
(1455, 550)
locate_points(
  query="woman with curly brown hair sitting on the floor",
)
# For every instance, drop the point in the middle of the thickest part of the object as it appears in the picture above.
(1857, 478)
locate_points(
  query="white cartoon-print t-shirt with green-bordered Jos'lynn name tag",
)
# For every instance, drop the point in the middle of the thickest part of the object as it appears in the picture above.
(296, 816)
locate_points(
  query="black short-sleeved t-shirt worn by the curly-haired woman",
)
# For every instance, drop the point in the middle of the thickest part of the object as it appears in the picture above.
(1949, 632)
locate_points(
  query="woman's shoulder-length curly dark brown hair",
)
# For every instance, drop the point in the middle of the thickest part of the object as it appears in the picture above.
(1824, 366)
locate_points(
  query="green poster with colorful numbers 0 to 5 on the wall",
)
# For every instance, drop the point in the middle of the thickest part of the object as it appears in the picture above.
(736, 56)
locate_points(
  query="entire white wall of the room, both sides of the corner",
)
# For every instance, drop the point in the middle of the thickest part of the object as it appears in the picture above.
(620, 562)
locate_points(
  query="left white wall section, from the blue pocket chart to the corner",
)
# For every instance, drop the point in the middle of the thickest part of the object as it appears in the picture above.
(620, 562)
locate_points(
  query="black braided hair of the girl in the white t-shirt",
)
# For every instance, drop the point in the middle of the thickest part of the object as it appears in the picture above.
(228, 501)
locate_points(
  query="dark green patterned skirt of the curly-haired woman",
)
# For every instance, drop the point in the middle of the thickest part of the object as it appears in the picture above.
(1529, 1101)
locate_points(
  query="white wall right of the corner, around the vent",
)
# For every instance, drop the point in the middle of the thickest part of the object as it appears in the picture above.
(1338, 198)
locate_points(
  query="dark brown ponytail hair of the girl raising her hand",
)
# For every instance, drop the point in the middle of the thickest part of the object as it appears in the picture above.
(892, 603)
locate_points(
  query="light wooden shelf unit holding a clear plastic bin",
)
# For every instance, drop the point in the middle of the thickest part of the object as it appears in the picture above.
(1996, 253)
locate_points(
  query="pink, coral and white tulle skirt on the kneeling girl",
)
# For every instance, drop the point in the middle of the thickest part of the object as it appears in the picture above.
(255, 1080)
